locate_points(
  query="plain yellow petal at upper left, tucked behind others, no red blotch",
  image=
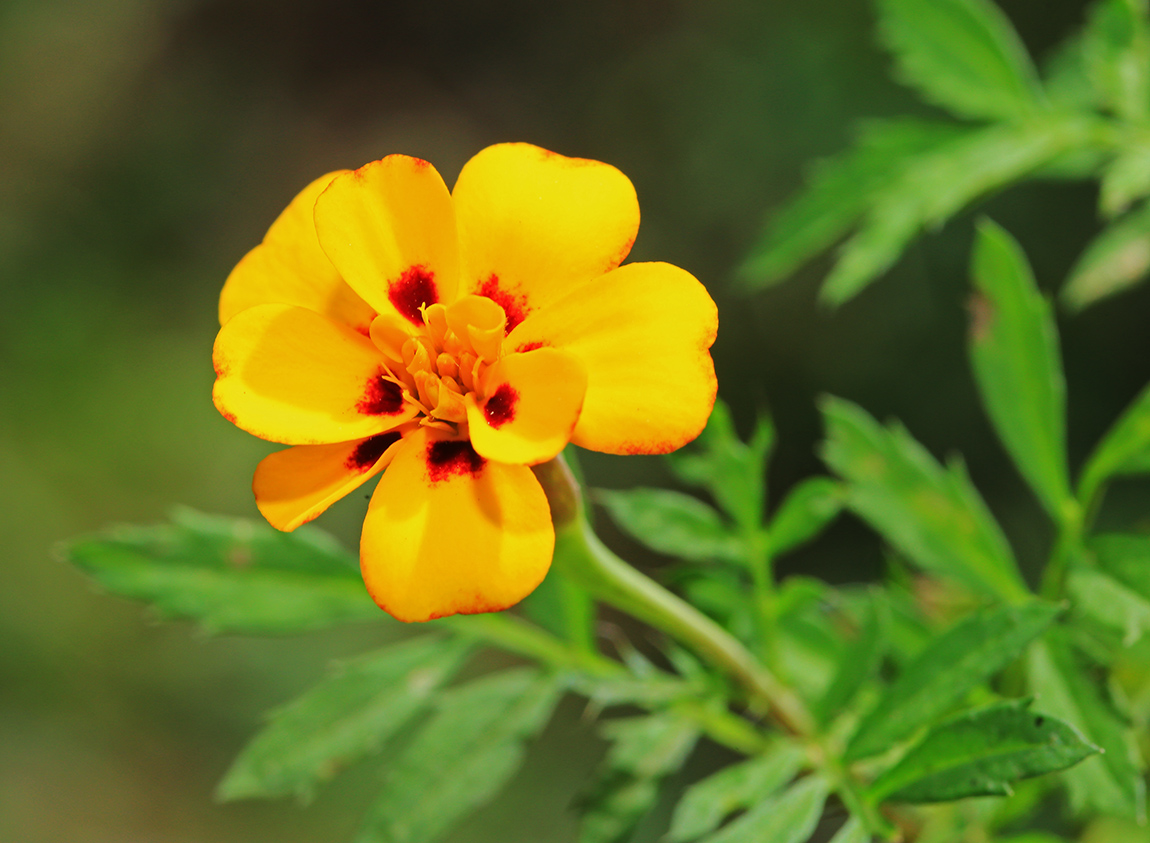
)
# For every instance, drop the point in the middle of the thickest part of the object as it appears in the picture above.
(290, 269)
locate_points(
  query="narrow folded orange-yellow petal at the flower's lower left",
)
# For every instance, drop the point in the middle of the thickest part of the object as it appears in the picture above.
(295, 486)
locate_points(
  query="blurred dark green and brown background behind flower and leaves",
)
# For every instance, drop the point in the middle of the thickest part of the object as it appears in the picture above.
(145, 147)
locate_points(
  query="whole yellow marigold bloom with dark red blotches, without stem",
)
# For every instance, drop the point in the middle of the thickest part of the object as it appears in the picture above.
(455, 340)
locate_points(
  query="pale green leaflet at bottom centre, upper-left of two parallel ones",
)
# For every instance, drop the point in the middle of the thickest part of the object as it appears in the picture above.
(709, 802)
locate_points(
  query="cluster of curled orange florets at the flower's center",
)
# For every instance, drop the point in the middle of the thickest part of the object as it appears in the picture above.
(446, 359)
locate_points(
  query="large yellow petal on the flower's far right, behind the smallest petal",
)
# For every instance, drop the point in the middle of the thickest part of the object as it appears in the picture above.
(643, 332)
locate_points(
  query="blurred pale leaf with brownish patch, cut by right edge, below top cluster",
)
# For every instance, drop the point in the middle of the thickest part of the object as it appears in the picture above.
(1116, 260)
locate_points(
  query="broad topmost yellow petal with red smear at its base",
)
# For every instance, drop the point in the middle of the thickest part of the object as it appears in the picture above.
(533, 223)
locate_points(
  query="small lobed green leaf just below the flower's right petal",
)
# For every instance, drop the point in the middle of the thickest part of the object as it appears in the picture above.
(732, 471)
